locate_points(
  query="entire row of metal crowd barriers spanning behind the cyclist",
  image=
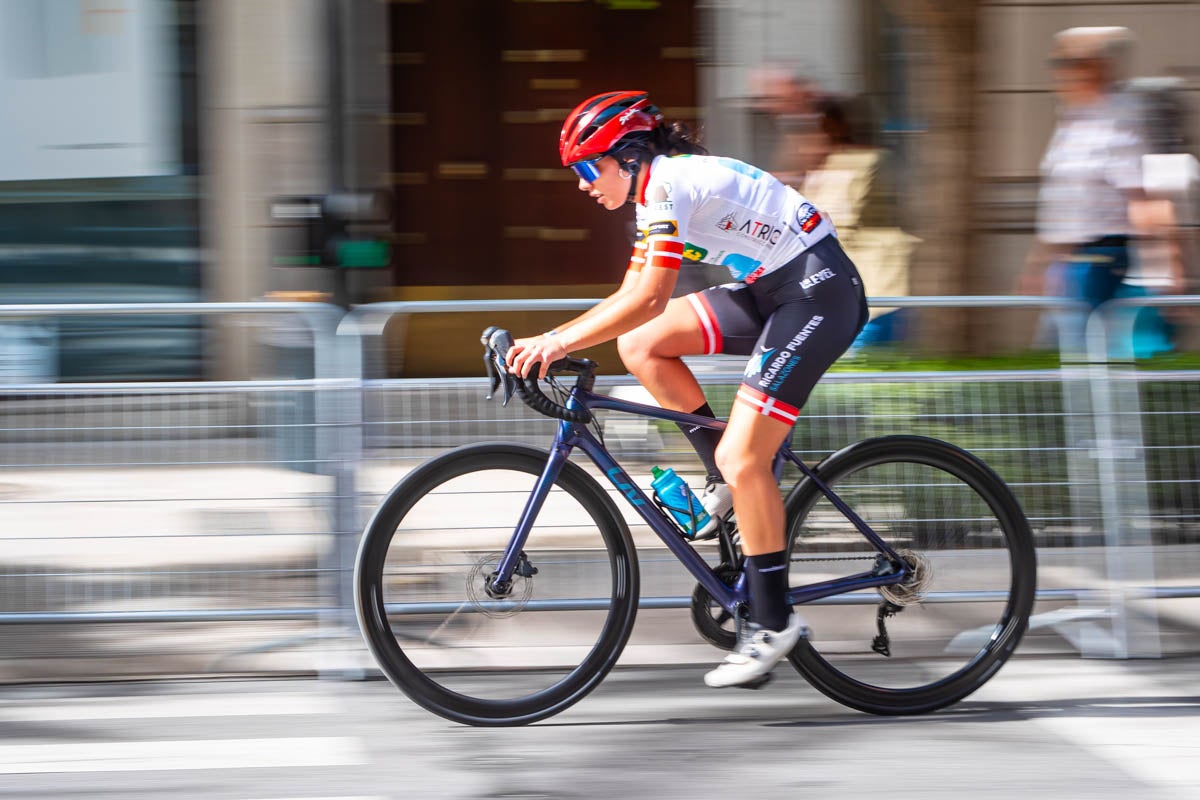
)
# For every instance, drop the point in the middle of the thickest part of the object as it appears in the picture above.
(190, 509)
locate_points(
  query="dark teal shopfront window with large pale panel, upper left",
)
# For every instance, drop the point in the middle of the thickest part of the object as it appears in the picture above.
(100, 194)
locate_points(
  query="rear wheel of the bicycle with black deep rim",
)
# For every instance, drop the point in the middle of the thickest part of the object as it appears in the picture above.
(939, 504)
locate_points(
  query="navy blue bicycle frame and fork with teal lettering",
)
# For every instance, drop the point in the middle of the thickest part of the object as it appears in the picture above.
(572, 436)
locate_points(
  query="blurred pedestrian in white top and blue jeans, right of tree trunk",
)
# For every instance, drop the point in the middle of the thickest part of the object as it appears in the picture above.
(1091, 201)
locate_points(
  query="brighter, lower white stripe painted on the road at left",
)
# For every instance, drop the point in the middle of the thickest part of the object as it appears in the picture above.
(184, 755)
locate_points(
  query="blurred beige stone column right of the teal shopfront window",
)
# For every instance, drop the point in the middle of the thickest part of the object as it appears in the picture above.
(266, 133)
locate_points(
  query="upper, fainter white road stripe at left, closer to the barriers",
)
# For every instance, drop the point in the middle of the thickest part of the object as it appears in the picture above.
(169, 706)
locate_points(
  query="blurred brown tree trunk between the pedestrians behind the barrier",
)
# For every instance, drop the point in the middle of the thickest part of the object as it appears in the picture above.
(946, 40)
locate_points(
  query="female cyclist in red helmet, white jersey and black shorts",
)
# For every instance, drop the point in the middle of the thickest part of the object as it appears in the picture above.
(795, 306)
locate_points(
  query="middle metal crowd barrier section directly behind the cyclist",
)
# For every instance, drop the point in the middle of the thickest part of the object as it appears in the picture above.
(1039, 429)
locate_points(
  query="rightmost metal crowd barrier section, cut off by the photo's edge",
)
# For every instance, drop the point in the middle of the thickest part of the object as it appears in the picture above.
(1148, 450)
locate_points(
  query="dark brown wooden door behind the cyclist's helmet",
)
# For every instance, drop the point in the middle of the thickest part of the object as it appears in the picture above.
(481, 89)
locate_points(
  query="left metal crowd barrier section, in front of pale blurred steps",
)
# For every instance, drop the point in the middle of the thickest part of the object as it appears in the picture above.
(137, 518)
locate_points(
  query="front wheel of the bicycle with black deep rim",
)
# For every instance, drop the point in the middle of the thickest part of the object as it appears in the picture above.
(461, 646)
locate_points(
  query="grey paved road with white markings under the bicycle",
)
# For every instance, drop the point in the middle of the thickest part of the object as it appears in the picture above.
(1045, 727)
